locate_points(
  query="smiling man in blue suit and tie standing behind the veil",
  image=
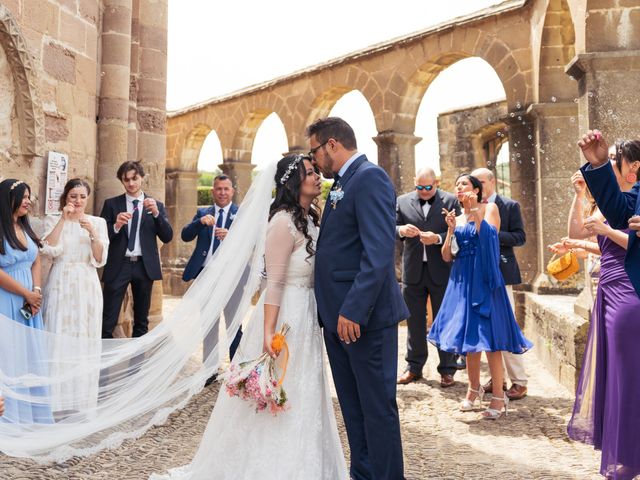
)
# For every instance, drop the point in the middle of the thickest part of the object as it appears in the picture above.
(210, 225)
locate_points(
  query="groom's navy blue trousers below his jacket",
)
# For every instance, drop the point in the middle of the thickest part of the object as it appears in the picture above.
(364, 374)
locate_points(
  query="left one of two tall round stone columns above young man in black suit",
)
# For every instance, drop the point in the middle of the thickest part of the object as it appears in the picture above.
(113, 113)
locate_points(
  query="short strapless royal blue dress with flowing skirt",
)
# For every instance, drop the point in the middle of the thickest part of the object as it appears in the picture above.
(476, 315)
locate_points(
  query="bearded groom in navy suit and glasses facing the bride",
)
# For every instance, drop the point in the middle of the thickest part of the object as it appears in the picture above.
(359, 300)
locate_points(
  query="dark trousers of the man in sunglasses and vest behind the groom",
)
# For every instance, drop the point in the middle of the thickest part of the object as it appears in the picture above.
(415, 296)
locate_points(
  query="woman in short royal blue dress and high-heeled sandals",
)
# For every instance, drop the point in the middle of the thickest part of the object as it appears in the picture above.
(476, 315)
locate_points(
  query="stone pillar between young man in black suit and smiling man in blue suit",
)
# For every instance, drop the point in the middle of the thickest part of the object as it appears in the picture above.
(181, 203)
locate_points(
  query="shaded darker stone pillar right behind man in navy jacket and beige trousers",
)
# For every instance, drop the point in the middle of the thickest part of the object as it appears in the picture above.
(522, 170)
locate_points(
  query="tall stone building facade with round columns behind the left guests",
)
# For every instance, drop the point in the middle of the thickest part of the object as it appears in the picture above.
(86, 78)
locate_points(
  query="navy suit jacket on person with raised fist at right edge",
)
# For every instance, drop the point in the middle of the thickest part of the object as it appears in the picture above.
(617, 207)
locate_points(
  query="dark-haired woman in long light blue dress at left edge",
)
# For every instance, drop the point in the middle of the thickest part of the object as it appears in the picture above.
(20, 301)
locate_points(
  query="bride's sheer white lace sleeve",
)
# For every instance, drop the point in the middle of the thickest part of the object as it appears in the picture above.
(280, 243)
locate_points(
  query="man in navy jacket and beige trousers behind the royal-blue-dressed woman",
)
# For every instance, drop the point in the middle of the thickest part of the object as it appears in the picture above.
(511, 235)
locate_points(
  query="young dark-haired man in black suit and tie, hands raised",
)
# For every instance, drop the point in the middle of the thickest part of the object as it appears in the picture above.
(134, 222)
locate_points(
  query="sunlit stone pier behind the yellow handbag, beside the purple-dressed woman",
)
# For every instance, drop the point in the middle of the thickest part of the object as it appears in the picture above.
(557, 158)
